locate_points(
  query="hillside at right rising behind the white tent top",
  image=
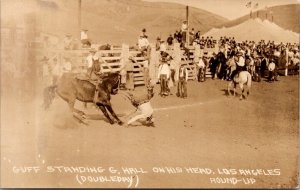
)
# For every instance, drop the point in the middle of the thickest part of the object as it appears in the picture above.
(286, 16)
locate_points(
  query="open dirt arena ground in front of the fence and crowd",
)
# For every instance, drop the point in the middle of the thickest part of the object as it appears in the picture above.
(216, 137)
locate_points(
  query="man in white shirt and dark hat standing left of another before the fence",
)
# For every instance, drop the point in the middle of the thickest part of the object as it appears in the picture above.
(163, 75)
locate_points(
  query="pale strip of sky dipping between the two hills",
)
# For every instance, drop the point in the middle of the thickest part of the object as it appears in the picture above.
(230, 9)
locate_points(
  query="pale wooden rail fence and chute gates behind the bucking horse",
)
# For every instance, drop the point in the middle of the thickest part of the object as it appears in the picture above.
(115, 58)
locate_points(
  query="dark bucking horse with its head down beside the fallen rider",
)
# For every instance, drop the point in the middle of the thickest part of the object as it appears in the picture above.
(70, 89)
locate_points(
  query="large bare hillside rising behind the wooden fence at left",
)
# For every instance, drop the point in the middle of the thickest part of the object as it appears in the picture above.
(117, 21)
